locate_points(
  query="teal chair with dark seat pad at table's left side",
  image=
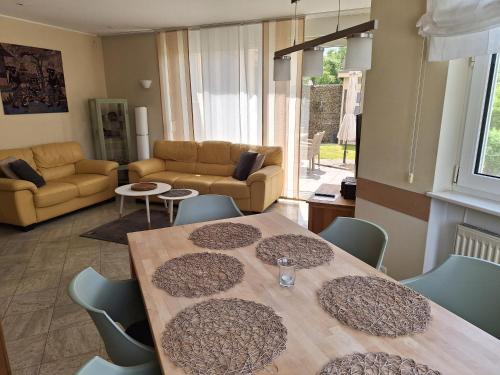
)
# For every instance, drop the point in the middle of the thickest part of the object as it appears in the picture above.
(117, 310)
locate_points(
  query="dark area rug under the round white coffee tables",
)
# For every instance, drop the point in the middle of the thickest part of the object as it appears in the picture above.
(116, 231)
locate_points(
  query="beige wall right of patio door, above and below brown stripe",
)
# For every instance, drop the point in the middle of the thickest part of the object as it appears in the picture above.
(389, 107)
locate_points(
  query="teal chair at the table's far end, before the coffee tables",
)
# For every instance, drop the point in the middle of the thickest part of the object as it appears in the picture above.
(206, 208)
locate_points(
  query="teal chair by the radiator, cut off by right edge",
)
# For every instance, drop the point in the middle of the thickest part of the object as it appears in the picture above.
(468, 287)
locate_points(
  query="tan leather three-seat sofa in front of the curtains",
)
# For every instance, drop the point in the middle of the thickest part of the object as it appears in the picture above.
(208, 167)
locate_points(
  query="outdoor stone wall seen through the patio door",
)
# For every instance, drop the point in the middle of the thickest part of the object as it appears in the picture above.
(325, 103)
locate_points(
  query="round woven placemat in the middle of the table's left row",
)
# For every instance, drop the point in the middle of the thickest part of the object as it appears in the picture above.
(198, 274)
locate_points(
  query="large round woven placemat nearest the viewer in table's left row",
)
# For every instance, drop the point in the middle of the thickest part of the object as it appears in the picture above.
(224, 336)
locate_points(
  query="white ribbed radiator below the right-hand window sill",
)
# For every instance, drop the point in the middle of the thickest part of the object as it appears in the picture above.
(478, 243)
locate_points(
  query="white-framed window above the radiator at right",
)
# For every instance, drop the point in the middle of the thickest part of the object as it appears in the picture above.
(480, 160)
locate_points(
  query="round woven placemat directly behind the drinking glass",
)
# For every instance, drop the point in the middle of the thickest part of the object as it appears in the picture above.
(305, 252)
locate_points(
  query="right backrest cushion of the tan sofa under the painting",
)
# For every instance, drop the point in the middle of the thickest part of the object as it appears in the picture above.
(56, 160)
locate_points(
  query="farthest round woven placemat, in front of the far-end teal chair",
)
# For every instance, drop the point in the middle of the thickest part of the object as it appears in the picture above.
(225, 236)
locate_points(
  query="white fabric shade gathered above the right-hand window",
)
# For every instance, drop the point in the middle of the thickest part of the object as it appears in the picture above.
(461, 28)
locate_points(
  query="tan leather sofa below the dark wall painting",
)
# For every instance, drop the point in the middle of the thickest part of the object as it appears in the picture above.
(73, 182)
